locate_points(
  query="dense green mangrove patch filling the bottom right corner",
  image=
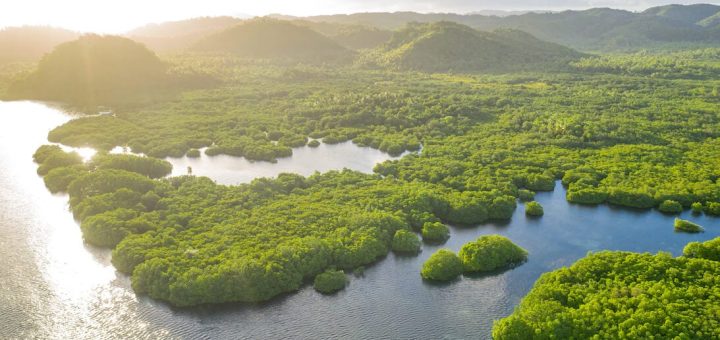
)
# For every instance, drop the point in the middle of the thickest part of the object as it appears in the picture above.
(613, 295)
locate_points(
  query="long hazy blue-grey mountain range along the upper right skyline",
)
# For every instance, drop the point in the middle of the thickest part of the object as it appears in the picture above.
(593, 29)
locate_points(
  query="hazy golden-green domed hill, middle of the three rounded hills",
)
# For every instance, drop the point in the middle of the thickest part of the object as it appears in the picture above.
(266, 38)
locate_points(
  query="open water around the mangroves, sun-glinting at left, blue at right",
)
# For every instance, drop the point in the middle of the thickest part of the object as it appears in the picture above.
(53, 286)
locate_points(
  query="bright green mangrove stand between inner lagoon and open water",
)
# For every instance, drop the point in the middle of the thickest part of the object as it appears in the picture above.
(253, 241)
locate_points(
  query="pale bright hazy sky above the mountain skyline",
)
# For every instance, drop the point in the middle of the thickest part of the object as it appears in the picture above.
(117, 16)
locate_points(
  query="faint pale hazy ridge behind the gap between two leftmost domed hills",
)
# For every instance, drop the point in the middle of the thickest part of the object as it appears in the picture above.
(179, 35)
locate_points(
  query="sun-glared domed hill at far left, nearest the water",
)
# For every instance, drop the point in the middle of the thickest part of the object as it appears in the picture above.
(94, 70)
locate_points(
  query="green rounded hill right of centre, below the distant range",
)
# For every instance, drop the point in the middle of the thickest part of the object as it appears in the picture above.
(451, 47)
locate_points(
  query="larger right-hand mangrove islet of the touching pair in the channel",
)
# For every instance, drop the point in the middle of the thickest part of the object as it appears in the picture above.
(490, 252)
